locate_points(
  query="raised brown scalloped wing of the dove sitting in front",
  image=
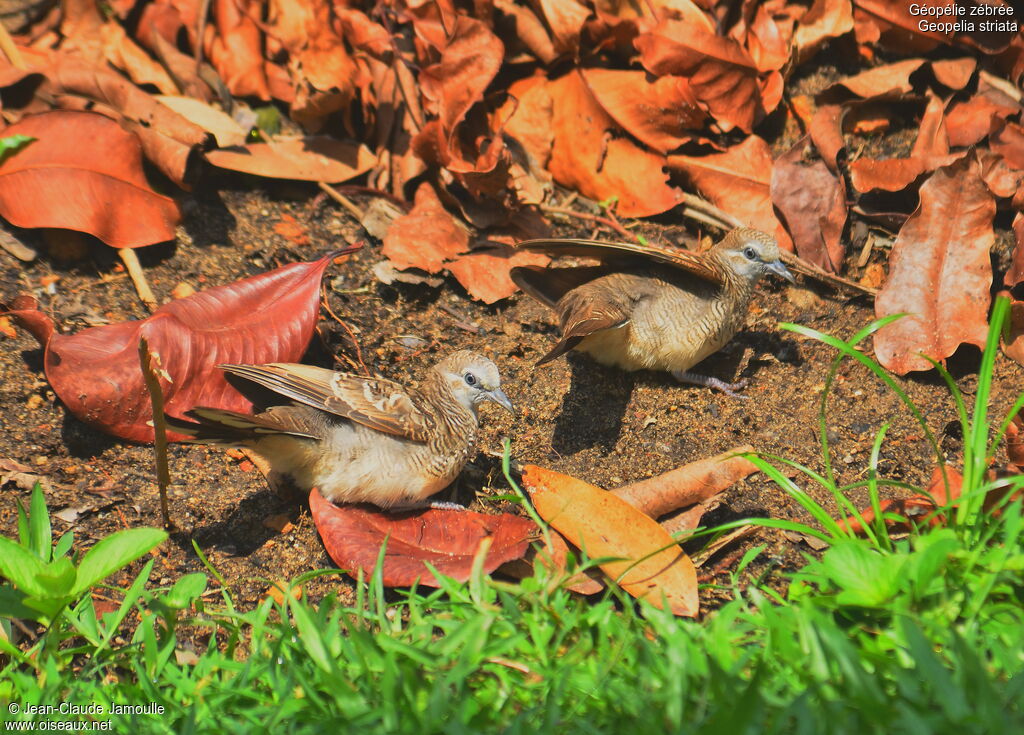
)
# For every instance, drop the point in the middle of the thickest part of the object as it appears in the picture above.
(375, 403)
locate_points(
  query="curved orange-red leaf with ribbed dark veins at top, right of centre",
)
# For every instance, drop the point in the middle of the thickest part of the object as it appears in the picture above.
(721, 74)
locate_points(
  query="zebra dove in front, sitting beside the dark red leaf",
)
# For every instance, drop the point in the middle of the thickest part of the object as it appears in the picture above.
(360, 440)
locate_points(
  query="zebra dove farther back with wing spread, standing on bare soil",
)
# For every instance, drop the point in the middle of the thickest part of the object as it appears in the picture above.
(634, 313)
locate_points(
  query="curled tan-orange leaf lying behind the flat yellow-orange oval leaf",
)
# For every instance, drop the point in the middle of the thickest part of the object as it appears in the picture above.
(690, 485)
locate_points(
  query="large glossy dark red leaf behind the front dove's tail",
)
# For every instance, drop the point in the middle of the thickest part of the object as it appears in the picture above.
(265, 319)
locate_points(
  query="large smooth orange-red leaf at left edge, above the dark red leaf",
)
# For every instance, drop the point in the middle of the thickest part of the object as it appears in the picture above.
(103, 190)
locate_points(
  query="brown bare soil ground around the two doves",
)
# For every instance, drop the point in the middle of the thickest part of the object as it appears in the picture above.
(575, 416)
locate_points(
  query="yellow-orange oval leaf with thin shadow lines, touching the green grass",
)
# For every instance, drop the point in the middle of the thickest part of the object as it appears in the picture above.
(649, 564)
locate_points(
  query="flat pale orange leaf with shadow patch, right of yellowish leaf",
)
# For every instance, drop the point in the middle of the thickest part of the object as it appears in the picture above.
(311, 159)
